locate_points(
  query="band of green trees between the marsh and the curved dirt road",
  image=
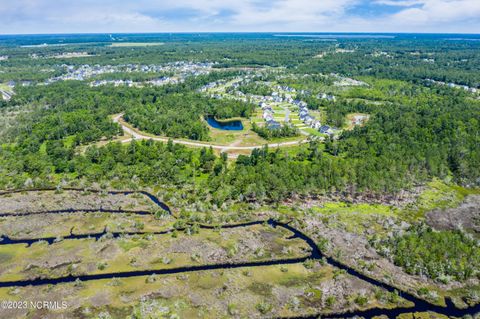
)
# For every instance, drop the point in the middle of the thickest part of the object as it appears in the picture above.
(401, 146)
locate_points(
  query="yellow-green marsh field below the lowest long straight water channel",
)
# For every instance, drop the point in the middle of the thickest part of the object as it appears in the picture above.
(254, 292)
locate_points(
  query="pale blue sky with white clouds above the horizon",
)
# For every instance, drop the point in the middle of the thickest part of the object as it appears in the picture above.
(118, 16)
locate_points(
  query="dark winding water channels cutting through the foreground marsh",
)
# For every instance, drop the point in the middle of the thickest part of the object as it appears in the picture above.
(419, 304)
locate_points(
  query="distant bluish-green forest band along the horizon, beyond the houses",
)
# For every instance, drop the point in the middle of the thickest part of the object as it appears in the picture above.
(411, 59)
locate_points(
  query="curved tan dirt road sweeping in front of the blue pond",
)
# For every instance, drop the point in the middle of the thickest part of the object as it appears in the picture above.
(137, 135)
